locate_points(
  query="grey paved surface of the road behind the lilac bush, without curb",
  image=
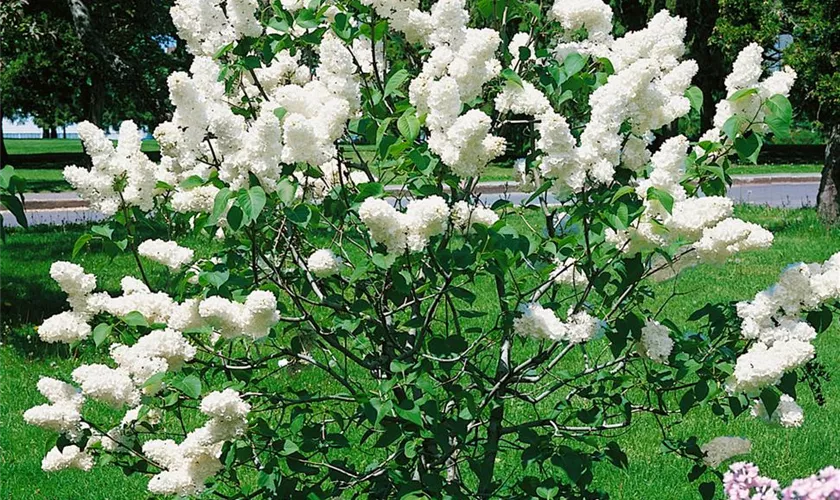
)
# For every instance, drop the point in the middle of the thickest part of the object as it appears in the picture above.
(791, 195)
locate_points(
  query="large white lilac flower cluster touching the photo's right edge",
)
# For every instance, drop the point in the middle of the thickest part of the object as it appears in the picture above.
(772, 318)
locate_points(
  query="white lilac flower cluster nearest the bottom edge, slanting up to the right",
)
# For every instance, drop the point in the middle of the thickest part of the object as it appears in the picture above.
(189, 464)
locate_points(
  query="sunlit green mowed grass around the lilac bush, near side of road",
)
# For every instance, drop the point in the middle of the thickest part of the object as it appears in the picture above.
(27, 296)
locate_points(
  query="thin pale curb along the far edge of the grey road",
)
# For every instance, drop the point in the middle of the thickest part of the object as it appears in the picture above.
(72, 202)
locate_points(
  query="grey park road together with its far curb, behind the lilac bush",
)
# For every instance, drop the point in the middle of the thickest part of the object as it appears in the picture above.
(776, 190)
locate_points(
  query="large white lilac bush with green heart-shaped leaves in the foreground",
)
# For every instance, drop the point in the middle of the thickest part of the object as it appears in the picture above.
(335, 338)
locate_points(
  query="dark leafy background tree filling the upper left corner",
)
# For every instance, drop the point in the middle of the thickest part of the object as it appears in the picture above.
(73, 60)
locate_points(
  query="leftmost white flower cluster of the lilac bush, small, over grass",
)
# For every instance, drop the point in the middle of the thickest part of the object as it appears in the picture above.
(63, 413)
